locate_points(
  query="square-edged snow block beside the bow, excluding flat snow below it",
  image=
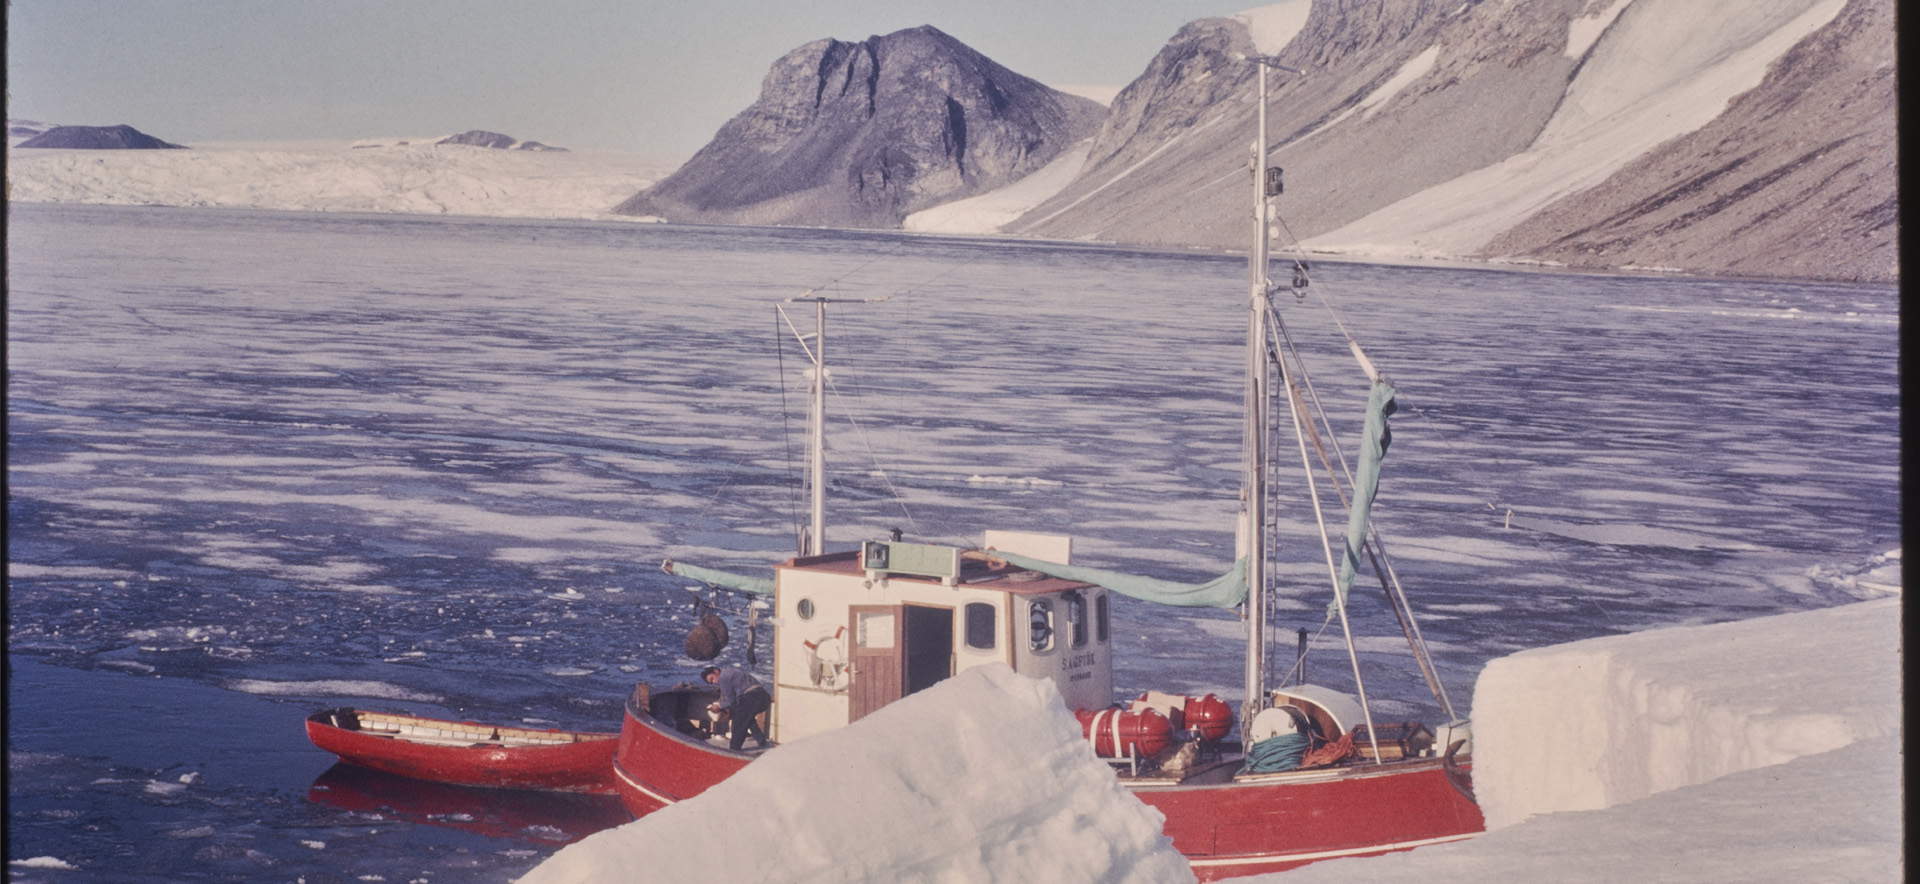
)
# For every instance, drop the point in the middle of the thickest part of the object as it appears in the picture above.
(1608, 722)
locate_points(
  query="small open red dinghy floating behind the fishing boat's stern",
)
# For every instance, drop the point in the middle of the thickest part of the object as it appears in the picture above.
(468, 754)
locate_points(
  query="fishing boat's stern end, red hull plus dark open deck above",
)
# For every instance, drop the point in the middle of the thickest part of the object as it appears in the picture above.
(663, 758)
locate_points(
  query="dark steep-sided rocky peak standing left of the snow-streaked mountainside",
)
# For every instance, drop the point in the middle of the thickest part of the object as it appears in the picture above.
(867, 134)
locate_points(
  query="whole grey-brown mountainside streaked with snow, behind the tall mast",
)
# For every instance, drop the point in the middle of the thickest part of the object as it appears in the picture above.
(1602, 134)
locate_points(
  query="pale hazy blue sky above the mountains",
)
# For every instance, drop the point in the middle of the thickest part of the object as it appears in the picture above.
(656, 78)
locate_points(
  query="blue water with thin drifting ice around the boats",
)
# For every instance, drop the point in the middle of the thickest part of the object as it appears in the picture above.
(262, 464)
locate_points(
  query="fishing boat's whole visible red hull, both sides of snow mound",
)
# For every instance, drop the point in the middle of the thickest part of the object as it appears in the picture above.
(1226, 829)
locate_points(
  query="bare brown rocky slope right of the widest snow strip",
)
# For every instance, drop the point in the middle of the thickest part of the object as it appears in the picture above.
(1796, 178)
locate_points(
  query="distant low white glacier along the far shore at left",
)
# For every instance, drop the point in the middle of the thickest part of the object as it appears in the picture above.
(410, 176)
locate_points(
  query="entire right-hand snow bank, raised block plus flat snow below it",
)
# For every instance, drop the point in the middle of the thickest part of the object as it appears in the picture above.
(1760, 752)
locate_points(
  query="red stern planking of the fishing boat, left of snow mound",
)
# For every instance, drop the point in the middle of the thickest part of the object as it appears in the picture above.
(658, 766)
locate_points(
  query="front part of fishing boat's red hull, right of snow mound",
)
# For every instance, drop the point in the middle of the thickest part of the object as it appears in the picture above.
(1293, 820)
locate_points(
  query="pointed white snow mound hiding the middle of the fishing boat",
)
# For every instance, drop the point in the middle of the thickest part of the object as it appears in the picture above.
(984, 779)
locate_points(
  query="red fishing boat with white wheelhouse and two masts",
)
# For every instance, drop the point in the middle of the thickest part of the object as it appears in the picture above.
(1308, 775)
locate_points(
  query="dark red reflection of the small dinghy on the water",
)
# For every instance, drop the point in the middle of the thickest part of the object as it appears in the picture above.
(552, 818)
